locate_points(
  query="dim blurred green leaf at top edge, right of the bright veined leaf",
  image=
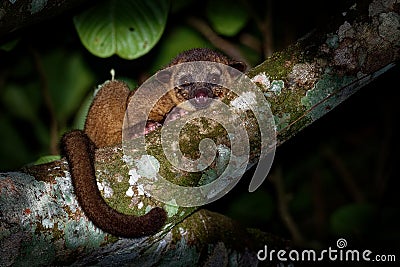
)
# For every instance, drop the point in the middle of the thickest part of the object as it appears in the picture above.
(227, 17)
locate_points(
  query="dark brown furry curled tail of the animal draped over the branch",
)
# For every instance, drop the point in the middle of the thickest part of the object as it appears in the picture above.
(80, 152)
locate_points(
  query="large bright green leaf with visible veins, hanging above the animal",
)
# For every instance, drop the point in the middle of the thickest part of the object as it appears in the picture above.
(127, 28)
